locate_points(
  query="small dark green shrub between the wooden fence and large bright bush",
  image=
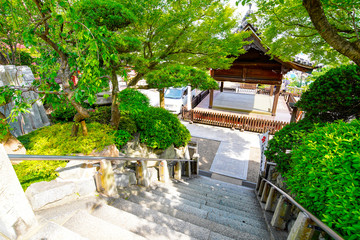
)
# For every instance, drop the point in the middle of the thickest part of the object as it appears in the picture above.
(280, 147)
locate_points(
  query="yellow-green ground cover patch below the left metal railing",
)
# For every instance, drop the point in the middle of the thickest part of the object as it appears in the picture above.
(29, 172)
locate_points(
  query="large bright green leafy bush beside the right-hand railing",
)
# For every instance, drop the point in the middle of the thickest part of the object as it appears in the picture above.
(324, 176)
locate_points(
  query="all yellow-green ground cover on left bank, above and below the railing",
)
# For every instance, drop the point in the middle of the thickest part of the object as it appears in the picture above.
(56, 140)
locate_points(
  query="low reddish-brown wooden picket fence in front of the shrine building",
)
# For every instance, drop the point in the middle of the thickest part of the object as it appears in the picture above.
(233, 121)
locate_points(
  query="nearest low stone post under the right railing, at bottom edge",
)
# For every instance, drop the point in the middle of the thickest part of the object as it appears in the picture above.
(301, 229)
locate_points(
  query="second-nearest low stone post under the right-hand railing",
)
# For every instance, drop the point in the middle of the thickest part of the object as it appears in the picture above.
(281, 213)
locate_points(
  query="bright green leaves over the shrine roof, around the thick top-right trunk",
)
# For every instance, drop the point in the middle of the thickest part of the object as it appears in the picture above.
(283, 23)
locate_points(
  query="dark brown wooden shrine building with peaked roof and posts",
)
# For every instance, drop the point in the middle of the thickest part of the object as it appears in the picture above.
(256, 67)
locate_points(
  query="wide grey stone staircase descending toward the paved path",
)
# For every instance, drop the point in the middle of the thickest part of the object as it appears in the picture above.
(199, 208)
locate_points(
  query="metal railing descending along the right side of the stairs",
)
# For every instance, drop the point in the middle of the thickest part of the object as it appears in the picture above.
(308, 214)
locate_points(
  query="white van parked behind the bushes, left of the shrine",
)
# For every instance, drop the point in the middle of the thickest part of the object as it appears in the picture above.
(176, 98)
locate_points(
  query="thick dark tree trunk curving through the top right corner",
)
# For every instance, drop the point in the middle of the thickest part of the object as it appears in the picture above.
(329, 33)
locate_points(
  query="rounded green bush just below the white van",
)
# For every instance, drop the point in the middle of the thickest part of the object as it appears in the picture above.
(159, 128)
